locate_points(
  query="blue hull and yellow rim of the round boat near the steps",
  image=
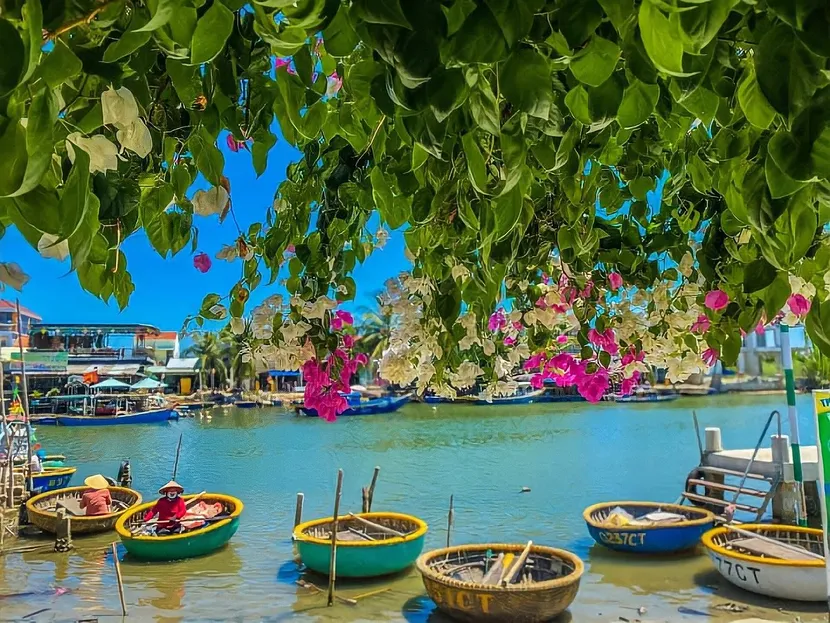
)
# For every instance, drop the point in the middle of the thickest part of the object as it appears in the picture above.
(659, 539)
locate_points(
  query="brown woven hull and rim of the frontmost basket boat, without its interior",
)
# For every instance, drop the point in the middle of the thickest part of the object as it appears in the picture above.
(466, 601)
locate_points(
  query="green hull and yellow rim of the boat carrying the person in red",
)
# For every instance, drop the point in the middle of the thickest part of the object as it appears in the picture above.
(197, 542)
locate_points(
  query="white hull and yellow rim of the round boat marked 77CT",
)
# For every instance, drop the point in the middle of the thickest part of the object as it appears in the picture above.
(780, 579)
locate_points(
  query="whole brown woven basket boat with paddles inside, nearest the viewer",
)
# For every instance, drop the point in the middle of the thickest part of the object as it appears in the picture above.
(499, 582)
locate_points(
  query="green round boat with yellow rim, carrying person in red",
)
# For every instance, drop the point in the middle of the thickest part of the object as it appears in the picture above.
(211, 521)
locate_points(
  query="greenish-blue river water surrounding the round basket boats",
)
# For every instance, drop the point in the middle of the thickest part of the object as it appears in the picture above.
(570, 455)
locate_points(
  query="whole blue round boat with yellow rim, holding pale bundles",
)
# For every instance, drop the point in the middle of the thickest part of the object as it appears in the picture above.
(647, 527)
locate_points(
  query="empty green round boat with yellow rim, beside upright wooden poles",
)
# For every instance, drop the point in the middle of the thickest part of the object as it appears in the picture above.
(368, 544)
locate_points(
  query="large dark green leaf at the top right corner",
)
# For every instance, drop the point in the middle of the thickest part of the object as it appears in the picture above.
(787, 72)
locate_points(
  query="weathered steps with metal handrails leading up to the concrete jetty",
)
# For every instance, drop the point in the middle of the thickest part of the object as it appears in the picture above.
(715, 493)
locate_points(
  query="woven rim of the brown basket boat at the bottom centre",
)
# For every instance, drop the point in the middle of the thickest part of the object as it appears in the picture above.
(571, 578)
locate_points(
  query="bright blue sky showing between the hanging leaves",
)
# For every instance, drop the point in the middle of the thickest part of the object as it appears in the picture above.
(168, 290)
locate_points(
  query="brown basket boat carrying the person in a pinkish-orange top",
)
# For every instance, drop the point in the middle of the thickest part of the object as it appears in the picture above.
(42, 509)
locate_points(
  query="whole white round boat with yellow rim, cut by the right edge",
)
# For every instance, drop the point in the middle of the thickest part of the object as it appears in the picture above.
(791, 566)
